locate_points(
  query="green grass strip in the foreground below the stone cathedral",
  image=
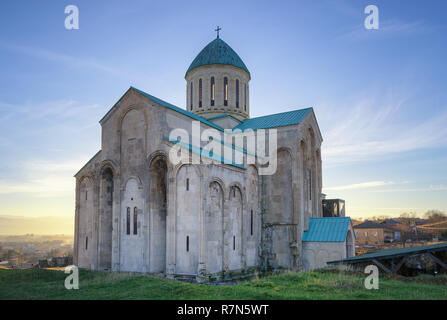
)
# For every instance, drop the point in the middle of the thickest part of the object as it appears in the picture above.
(49, 284)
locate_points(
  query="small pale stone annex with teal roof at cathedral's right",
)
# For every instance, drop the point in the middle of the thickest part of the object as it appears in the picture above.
(327, 239)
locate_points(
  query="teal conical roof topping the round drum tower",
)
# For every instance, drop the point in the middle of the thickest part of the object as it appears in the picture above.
(217, 52)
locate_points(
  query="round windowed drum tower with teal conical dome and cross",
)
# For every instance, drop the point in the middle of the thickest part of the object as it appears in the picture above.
(217, 82)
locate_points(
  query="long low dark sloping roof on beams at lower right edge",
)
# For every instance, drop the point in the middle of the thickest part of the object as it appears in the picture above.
(394, 253)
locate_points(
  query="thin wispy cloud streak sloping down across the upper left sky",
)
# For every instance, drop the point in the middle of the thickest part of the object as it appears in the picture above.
(70, 61)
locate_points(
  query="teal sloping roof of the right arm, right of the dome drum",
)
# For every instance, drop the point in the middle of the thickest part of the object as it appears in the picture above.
(274, 120)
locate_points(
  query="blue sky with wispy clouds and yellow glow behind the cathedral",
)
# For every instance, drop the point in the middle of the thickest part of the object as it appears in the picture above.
(379, 95)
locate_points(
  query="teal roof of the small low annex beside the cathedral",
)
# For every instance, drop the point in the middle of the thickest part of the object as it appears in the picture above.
(327, 229)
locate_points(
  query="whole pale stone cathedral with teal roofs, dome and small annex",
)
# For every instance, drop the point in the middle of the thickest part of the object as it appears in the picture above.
(138, 211)
